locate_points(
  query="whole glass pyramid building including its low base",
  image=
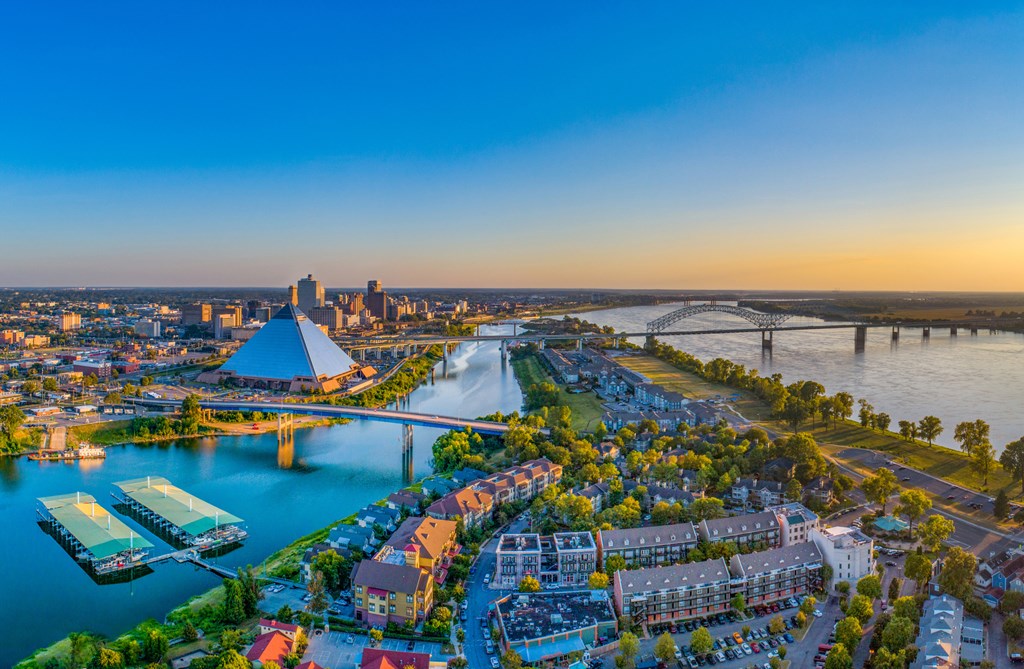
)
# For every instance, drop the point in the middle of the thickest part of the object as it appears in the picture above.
(290, 353)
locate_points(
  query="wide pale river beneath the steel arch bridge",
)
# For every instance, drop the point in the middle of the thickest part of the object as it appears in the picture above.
(955, 379)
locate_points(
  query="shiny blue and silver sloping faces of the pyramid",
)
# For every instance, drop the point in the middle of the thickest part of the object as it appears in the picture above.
(289, 346)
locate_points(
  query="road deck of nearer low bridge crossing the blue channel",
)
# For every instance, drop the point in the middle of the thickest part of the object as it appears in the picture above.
(335, 411)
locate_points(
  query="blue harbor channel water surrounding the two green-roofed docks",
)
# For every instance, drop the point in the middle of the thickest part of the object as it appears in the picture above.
(334, 472)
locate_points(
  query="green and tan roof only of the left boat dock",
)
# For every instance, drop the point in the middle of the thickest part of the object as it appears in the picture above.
(103, 534)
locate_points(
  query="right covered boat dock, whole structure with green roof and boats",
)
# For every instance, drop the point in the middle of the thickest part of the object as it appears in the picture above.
(185, 518)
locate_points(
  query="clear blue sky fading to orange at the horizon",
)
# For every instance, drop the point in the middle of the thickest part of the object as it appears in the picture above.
(837, 146)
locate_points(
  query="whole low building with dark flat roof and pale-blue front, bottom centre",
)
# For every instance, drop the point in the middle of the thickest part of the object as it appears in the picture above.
(549, 626)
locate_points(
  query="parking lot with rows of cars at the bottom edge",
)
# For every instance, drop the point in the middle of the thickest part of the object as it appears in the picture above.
(802, 653)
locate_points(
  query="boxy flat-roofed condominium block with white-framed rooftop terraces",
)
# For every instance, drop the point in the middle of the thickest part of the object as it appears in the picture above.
(565, 559)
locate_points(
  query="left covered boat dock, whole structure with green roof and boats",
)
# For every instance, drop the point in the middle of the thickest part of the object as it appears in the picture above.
(95, 537)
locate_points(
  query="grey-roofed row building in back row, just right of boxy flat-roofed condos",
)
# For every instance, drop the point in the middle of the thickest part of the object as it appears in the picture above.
(649, 547)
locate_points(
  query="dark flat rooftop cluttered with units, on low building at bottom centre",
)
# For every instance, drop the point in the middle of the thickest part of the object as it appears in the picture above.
(533, 616)
